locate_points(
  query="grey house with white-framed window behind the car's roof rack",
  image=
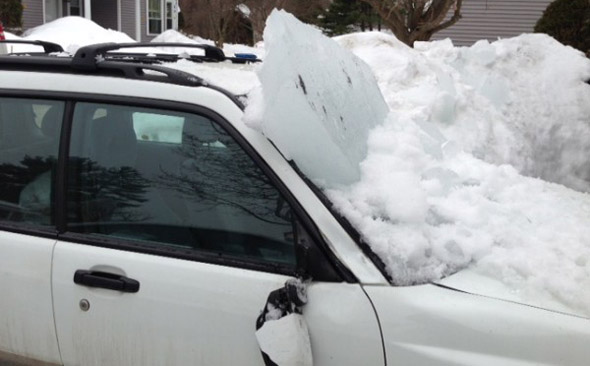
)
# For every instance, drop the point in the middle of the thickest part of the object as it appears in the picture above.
(139, 19)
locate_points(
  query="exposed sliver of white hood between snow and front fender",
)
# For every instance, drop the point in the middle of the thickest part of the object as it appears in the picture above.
(470, 281)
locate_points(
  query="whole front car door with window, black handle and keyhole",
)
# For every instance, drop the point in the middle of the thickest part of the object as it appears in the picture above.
(175, 237)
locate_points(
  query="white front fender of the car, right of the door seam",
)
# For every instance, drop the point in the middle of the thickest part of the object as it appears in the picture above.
(431, 325)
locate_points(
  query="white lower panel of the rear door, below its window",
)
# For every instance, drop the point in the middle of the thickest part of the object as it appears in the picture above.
(26, 316)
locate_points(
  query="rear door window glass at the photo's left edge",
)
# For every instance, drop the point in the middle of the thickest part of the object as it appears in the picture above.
(29, 143)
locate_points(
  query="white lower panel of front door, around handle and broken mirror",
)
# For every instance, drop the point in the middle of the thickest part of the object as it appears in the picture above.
(194, 313)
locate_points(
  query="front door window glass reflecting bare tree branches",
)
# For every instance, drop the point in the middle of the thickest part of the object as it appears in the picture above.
(172, 180)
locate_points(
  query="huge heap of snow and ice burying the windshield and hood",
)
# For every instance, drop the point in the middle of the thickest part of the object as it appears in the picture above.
(429, 206)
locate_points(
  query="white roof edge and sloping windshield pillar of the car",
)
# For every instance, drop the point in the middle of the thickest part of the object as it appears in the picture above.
(342, 246)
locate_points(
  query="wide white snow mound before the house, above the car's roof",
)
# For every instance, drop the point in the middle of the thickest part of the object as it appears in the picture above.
(74, 32)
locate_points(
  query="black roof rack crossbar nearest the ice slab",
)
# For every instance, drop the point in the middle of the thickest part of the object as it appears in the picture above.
(88, 56)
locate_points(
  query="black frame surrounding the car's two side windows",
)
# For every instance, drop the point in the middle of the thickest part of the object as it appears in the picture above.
(321, 265)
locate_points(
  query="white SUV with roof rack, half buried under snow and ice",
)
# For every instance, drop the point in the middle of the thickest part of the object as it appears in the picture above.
(142, 223)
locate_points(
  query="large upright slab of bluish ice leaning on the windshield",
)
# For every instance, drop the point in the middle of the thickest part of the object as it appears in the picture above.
(320, 100)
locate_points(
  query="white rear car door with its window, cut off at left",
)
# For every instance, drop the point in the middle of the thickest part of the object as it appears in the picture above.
(29, 142)
